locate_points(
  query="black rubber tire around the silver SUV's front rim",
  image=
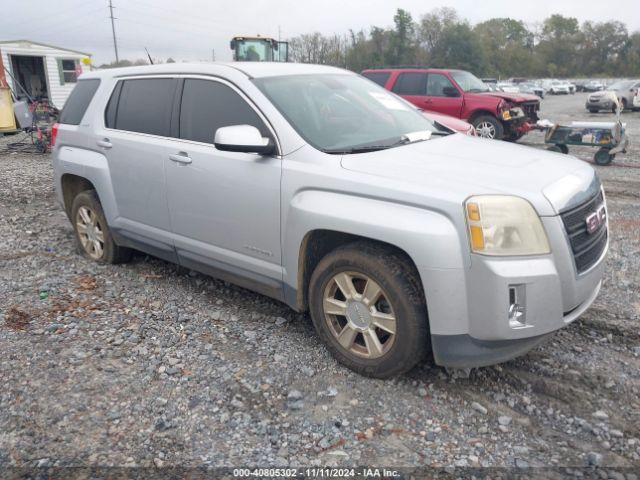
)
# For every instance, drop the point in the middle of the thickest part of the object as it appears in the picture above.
(399, 281)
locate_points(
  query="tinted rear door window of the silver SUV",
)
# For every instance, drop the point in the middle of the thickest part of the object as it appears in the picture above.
(145, 106)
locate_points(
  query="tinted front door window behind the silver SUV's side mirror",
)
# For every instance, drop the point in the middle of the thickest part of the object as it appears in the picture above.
(208, 105)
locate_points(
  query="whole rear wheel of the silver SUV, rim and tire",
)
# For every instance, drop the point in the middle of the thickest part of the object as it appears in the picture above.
(92, 232)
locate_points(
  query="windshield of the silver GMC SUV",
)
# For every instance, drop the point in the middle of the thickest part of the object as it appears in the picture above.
(339, 113)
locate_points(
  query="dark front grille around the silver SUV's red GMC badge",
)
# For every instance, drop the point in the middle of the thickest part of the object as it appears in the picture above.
(586, 247)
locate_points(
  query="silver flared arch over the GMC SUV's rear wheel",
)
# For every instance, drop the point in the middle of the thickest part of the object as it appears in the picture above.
(92, 166)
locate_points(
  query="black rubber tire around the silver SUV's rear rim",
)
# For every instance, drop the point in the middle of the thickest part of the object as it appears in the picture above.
(111, 252)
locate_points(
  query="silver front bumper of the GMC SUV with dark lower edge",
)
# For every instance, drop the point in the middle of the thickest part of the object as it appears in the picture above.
(475, 329)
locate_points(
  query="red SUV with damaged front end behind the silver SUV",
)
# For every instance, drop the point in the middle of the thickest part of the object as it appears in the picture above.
(462, 95)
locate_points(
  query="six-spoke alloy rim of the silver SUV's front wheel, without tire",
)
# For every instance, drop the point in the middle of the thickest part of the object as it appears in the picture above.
(359, 315)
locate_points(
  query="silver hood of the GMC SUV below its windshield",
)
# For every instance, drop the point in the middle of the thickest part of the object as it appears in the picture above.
(458, 166)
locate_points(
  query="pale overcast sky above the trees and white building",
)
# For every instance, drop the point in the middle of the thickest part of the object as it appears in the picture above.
(191, 29)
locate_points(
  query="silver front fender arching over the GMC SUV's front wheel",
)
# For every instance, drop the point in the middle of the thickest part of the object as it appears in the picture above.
(429, 238)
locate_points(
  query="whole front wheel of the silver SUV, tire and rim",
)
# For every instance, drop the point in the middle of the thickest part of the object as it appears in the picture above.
(367, 306)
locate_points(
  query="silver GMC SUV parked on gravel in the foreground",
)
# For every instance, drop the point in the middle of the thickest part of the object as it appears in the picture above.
(319, 188)
